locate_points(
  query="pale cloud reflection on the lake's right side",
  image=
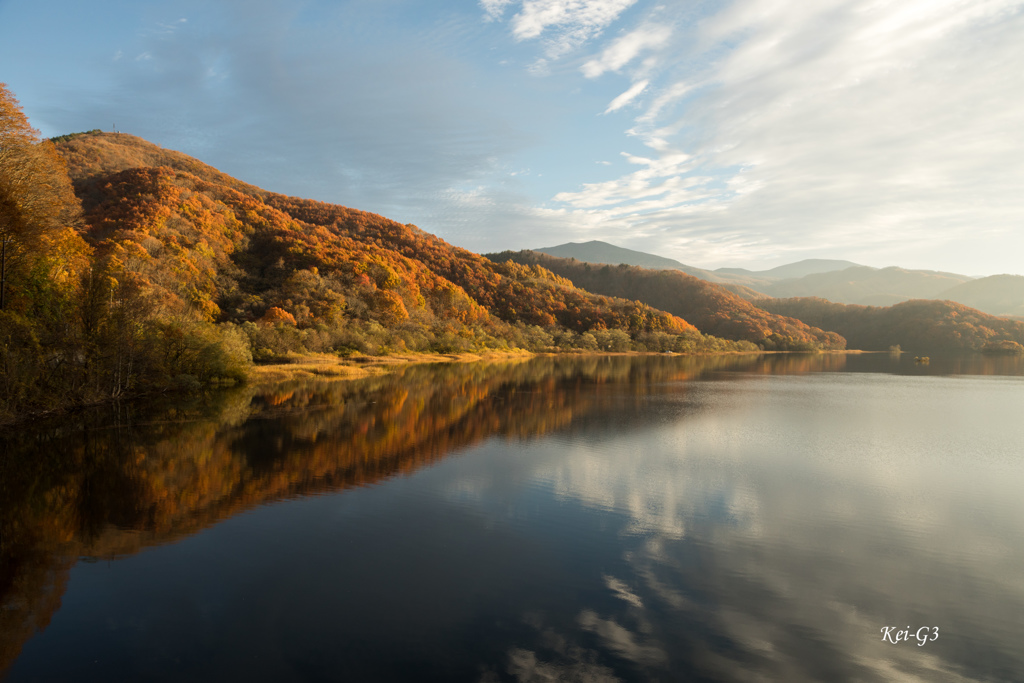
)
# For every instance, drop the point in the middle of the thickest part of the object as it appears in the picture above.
(774, 535)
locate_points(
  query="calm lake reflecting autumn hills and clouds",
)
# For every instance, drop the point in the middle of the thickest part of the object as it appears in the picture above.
(623, 519)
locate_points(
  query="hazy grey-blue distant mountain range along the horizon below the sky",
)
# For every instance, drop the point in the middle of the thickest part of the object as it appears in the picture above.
(838, 281)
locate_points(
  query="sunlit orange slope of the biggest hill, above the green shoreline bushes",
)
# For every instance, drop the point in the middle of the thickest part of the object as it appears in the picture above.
(211, 245)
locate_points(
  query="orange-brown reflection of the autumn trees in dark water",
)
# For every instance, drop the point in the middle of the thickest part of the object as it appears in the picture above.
(115, 482)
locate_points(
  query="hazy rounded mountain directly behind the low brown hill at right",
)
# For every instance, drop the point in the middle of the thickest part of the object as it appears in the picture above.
(868, 286)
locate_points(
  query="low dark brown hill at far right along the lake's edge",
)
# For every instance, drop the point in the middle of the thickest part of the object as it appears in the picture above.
(917, 326)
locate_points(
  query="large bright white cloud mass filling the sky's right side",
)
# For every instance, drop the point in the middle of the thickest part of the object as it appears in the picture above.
(862, 130)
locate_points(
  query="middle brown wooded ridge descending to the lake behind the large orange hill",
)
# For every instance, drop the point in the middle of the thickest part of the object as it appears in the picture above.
(711, 308)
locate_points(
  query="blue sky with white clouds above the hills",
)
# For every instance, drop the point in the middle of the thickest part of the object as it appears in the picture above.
(749, 134)
